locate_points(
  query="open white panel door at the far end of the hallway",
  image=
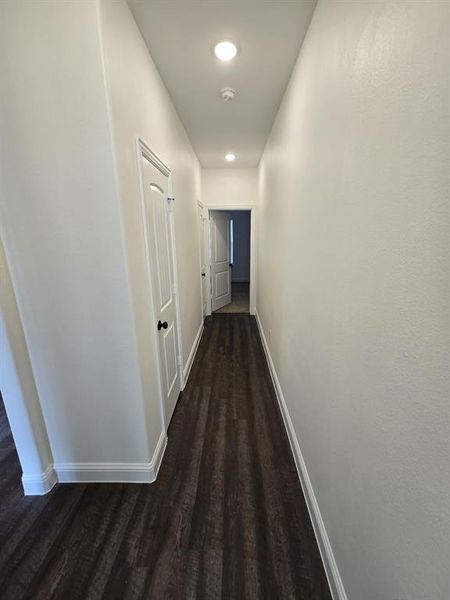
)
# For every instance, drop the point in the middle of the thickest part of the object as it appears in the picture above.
(220, 259)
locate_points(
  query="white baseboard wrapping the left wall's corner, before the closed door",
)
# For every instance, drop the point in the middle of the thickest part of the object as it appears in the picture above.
(113, 472)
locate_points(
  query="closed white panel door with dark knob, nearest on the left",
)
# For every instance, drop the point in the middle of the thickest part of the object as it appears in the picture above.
(159, 240)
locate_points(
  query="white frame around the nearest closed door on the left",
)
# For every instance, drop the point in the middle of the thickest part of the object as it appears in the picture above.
(143, 151)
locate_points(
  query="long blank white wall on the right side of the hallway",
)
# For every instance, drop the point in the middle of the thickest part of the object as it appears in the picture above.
(353, 288)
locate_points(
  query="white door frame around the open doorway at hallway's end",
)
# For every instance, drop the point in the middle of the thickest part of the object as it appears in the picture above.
(234, 207)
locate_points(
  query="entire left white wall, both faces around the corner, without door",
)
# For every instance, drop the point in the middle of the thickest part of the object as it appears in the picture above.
(76, 96)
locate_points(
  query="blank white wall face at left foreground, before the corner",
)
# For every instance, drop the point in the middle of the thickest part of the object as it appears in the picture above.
(62, 231)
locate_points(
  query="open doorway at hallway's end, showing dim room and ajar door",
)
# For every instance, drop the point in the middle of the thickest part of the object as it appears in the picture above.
(230, 264)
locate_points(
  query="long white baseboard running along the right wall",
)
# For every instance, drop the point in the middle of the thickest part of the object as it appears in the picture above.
(326, 552)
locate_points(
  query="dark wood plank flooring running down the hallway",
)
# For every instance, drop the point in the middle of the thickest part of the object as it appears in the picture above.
(225, 519)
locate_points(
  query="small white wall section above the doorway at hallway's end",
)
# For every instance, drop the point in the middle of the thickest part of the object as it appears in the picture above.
(229, 186)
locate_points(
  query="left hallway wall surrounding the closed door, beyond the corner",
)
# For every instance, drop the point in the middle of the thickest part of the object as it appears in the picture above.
(140, 106)
